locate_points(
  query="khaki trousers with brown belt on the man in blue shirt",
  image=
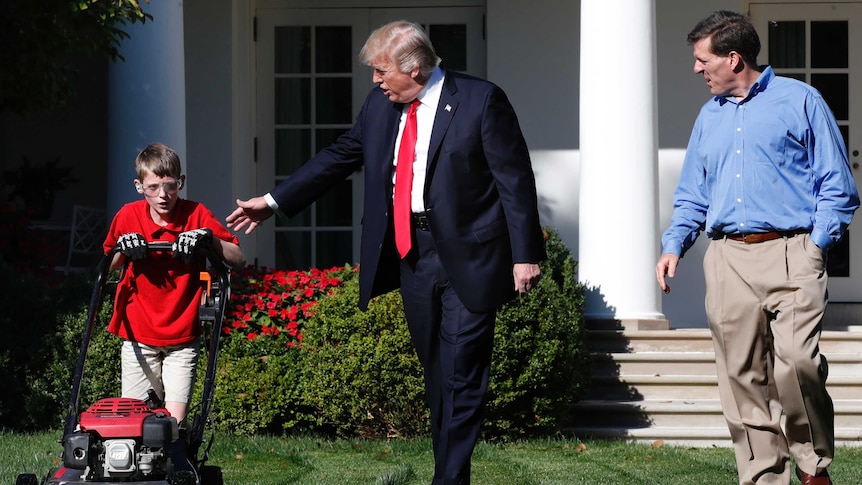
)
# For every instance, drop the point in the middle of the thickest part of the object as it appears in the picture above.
(765, 303)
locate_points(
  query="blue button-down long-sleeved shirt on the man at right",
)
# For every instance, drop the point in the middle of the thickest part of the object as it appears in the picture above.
(774, 161)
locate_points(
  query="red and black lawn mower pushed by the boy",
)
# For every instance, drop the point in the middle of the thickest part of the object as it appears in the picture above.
(123, 440)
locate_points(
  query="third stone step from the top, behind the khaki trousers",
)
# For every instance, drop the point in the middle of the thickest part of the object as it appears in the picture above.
(662, 387)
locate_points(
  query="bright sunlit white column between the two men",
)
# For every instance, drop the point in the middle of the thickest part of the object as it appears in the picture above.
(619, 217)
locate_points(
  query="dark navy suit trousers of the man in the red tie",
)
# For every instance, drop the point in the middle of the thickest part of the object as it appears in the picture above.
(454, 346)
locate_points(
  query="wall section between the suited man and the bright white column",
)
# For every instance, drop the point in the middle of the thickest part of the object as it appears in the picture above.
(533, 55)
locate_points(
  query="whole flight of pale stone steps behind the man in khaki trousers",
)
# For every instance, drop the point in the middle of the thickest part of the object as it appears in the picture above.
(651, 385)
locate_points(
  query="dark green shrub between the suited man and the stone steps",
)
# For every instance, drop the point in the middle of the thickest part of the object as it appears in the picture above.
(540, 364)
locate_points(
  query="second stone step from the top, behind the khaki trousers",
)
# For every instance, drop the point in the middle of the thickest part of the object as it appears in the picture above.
(695, 363)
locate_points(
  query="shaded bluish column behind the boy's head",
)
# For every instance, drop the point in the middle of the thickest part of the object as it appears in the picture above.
(146, 96)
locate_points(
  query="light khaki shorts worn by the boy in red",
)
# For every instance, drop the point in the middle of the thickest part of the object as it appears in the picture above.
(170, 371)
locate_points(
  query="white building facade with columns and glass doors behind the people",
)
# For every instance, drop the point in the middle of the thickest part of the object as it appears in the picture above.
(246, 90)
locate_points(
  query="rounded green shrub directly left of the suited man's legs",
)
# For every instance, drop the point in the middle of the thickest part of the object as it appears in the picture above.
(359, 371)
